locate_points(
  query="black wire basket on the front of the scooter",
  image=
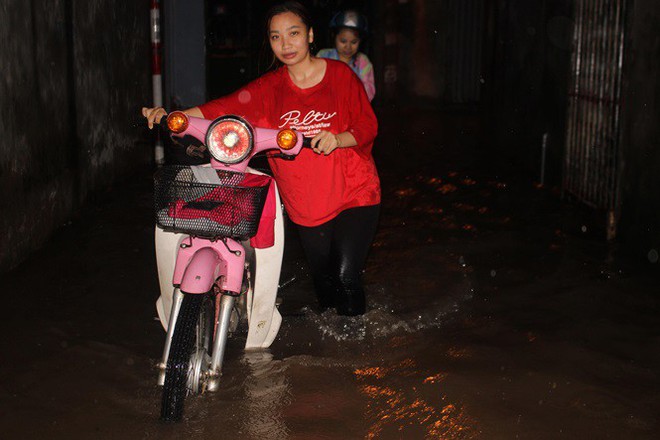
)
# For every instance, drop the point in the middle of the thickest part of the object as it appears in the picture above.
(231, 209)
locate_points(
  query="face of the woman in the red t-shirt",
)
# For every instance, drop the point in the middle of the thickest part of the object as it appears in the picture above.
(289, 38)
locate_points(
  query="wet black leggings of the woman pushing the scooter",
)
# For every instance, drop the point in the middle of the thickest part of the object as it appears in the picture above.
(336, 252)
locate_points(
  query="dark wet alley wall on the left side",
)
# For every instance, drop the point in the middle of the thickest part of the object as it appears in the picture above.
(72, 72)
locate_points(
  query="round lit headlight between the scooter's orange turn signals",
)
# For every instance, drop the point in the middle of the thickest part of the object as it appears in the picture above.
(229, 139)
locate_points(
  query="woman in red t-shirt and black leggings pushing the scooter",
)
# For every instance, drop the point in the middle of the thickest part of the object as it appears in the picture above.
(331, 192)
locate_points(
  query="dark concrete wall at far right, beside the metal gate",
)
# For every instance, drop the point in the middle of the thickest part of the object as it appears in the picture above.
(640, 141)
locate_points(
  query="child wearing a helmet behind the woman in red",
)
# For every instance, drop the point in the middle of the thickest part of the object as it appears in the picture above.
(348, 30)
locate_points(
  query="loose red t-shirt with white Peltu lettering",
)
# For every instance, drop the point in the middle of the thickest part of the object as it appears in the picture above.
(314, 188)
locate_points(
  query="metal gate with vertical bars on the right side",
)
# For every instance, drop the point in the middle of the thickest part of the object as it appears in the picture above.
(591, 162)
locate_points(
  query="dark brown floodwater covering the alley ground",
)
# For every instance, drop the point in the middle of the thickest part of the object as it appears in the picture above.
(494, 313)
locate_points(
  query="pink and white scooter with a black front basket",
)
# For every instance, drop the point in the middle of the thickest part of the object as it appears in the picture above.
(219, 247)
